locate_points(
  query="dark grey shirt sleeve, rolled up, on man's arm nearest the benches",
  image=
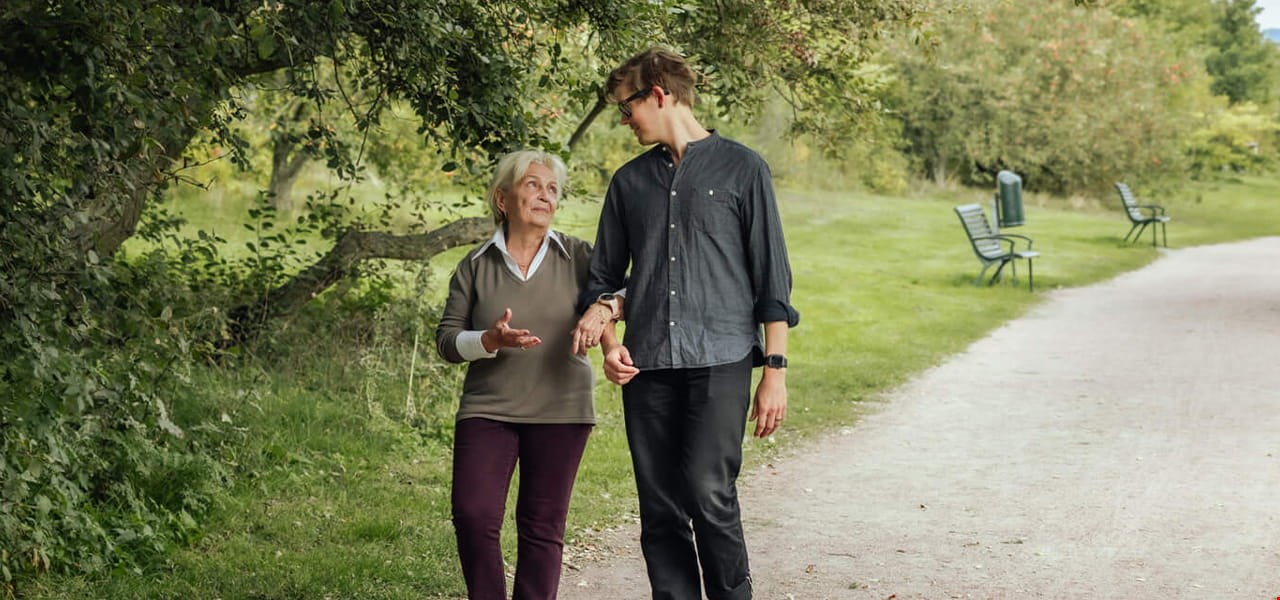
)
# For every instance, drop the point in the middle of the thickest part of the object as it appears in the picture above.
(771, 269)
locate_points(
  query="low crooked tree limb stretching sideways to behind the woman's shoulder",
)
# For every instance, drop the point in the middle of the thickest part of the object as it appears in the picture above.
(353, 248)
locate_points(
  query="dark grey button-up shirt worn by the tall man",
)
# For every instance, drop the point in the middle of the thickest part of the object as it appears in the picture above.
(706, 250)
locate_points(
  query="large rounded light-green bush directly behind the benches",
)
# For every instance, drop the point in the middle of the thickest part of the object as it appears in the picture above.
(1072, 99)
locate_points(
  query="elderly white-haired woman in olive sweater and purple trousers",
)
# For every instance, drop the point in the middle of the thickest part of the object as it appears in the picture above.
(528, 393)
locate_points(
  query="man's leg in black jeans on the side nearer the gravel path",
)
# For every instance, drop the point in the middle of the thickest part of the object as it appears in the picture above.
(719, 401)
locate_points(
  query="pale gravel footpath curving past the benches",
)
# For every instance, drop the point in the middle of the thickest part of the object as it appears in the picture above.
(1119, 442)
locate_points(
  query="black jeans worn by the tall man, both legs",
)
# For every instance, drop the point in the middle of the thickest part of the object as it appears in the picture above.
(685, 430)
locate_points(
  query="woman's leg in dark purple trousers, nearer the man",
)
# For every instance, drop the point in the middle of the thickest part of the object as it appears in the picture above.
(550, 456)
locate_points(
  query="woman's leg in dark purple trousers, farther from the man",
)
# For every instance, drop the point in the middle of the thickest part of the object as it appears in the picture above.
(484, 457)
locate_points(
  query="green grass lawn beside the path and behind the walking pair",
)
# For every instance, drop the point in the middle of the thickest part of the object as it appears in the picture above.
(340, 494)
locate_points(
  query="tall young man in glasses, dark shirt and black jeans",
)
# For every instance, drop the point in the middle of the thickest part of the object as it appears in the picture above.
(697, 221)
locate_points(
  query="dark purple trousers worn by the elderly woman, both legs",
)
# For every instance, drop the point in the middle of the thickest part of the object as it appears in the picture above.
(486, 455)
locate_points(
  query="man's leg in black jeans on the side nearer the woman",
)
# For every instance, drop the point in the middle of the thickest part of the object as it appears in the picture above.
(655, 410)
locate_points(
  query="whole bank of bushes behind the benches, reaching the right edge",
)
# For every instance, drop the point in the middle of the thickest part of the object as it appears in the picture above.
(1075, 99)
